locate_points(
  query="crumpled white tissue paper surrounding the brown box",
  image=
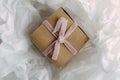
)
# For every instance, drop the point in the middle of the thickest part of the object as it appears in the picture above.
(99, 59)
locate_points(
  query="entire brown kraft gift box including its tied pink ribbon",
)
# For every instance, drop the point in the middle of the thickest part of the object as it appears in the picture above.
(59, 37)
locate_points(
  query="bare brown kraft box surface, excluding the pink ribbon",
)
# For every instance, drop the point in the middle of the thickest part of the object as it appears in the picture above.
(42, 38)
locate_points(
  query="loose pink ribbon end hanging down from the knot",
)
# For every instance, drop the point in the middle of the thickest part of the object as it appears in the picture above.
(56, 51)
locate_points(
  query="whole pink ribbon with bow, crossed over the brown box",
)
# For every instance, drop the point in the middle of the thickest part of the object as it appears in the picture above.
(60, 38)
